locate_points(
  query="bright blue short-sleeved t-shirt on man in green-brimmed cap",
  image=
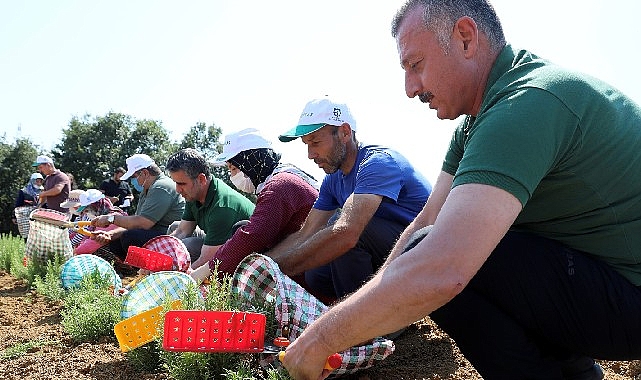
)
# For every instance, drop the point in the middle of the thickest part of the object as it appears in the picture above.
(381, 171)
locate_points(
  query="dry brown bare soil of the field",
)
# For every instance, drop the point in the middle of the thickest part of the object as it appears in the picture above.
(423, 351)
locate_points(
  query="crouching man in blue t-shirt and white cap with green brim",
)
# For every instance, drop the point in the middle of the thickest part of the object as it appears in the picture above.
(368, 197)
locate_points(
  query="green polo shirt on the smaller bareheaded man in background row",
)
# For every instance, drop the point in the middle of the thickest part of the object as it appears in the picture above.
(223, 207)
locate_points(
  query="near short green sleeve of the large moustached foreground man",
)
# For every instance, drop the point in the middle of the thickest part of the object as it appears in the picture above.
(514, 144)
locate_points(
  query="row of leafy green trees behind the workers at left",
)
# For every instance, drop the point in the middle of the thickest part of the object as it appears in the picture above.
(92, 147)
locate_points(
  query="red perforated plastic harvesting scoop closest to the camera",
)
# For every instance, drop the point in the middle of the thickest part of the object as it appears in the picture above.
(214, 331)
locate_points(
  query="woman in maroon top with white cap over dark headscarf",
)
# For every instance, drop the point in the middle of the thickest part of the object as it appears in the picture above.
(285, 194)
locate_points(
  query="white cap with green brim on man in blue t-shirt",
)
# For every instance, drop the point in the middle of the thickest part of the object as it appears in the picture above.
(317, 114)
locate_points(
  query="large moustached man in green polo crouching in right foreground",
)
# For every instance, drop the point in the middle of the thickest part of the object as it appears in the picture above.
(528, 251)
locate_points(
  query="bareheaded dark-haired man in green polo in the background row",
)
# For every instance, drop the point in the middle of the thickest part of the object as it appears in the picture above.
(212, 205)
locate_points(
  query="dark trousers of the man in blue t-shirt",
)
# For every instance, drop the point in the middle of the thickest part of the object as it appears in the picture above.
(348, 272)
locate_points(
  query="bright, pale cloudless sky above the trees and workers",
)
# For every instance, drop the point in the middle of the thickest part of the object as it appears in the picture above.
(240, 64)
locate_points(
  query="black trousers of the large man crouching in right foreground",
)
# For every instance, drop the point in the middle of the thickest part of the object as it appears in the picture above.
(539, 310)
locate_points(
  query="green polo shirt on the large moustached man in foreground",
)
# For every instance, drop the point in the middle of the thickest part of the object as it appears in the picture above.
(566, 146)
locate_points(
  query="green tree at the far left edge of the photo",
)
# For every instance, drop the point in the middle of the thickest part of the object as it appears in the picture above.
(15, 170)
